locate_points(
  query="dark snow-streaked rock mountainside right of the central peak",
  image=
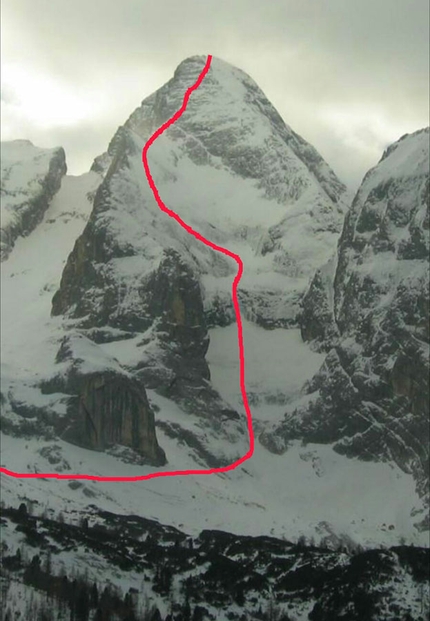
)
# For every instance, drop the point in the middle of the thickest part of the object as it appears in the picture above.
(369, 309)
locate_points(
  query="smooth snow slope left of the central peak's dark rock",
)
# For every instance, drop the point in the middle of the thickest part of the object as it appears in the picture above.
(29, 337)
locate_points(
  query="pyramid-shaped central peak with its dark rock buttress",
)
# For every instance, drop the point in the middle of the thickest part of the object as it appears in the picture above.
(136, 273)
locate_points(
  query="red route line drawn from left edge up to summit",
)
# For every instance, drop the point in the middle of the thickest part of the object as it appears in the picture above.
(236, 281)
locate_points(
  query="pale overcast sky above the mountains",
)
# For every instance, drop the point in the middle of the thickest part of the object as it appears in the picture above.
(350, 76)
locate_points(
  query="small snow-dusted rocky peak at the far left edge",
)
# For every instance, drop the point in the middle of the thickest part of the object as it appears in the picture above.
(30, 177)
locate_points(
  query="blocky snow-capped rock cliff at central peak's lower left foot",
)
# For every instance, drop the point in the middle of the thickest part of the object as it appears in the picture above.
(107, 407)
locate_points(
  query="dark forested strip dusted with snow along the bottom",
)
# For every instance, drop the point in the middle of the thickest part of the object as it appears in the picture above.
(256, 578)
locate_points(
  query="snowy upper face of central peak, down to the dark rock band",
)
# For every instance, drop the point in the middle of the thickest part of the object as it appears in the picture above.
(235, 171)
